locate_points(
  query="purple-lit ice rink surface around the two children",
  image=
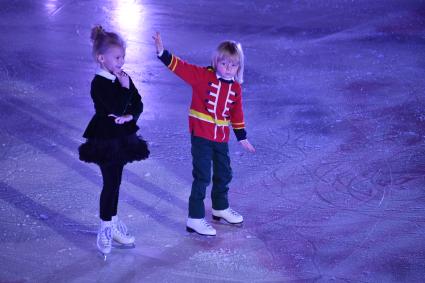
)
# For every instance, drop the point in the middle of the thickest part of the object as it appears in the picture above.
(334, 104)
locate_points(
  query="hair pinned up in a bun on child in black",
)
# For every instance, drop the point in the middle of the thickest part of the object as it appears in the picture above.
(103, 40)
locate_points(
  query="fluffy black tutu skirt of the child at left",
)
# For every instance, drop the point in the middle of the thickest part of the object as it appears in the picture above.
(119, 150)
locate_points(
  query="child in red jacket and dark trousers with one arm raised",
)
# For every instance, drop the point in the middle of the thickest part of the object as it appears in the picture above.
(216, 103)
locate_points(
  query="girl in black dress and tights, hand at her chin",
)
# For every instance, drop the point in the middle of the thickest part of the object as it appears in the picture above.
(111, 134)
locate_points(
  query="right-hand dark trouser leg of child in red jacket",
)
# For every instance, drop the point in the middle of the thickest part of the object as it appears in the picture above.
(222, 175)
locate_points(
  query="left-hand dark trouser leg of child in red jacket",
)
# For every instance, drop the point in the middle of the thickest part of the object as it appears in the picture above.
(201, 160)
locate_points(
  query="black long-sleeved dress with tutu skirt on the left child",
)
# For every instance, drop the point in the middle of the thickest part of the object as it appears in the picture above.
(107, 141)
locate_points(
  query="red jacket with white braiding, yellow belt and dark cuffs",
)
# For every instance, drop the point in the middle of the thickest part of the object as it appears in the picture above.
(216, 102)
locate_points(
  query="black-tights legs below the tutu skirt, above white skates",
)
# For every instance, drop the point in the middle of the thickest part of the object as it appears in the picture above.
(111, 173)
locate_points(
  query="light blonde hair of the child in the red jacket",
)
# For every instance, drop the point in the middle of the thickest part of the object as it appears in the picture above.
(232, 50)
